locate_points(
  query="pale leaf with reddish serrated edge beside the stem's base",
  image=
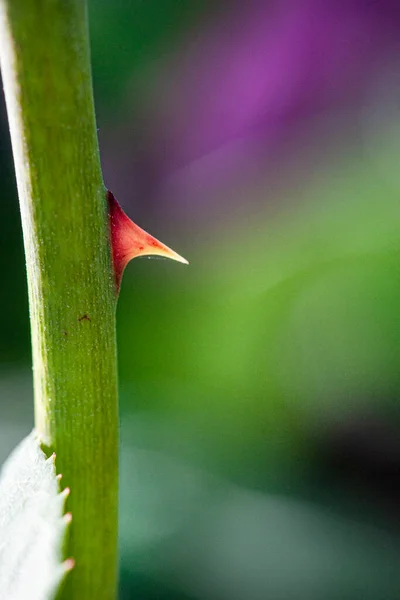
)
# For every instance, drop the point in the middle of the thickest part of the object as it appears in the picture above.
(32, 525)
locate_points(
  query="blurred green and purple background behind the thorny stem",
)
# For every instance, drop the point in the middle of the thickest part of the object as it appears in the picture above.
(260, 447)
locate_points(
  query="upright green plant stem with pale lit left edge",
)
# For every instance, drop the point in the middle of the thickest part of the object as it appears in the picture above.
(45, 62)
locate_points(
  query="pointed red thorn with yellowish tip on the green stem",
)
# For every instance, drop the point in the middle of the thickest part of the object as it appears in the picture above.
(129, 241)
